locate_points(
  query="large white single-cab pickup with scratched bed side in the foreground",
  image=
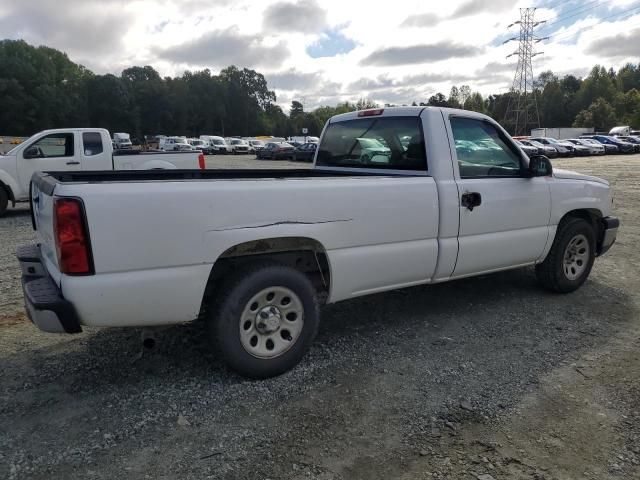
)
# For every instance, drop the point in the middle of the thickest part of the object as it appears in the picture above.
(255, 252)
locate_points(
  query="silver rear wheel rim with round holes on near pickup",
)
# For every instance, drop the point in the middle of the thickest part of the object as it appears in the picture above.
(271, 322)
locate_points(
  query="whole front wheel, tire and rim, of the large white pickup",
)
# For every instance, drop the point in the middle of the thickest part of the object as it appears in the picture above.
(571, 257)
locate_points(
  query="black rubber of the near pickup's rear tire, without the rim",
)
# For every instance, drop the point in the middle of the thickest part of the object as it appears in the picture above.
(234, 298)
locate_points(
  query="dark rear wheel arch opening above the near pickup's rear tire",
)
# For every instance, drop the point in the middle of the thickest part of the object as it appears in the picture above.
(305, 254)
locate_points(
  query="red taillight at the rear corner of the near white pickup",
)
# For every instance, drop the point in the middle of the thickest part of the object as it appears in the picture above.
(72, 239)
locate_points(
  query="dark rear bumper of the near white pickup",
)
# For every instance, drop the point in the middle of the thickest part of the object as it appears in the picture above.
(43, 300)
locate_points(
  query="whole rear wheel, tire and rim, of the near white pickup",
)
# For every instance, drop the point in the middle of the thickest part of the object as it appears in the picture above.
(265, 319)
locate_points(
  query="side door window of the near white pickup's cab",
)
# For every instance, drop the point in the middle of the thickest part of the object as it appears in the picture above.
(482, 150)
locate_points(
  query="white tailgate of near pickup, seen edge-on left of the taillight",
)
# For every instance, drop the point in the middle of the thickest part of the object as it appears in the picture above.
(42, 196)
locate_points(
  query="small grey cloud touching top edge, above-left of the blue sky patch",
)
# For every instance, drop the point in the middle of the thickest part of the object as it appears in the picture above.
(304, 16)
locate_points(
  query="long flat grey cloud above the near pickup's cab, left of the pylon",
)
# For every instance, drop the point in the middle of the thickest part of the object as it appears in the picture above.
(419, 54)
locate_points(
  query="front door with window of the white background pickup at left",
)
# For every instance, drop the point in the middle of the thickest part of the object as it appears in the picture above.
(54, 152)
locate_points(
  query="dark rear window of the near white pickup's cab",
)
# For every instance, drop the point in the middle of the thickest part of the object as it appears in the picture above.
(390, 143)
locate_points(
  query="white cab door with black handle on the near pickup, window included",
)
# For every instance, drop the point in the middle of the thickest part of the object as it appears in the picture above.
(504, 215)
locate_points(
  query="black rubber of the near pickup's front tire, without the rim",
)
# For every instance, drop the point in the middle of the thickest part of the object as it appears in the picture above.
(551, 273)
